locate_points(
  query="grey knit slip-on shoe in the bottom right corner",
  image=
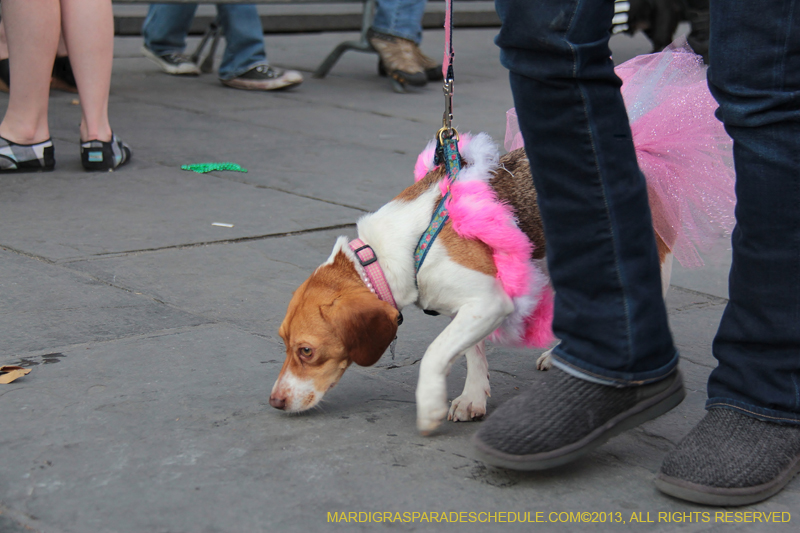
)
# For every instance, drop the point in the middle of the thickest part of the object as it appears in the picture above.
(730, 458)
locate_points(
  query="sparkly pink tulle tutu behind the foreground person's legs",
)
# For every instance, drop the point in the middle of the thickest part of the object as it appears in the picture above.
(682, 149)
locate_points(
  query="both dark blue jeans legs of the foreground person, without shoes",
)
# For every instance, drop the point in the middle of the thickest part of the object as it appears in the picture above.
(594, 205)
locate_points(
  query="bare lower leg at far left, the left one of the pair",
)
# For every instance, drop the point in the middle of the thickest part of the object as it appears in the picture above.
(32, 33)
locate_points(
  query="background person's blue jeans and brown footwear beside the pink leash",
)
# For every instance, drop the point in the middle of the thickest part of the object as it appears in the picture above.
(396, 33)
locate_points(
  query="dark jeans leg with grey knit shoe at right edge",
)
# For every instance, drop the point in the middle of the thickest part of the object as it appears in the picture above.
(748, 445)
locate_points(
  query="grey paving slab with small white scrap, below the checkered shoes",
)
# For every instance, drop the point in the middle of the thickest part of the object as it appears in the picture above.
(79, 216)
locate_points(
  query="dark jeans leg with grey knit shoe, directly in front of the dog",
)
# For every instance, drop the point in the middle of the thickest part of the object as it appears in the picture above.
(616, 364)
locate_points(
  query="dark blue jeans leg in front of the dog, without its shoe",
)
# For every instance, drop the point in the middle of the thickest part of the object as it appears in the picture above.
(601, 252)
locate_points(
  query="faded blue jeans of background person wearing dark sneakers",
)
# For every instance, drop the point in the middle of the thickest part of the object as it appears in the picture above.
(166, 26)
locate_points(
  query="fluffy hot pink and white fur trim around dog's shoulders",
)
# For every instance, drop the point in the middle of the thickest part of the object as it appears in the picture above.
(476, 213)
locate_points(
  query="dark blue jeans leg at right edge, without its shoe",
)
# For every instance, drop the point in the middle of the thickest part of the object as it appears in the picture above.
(755, 77)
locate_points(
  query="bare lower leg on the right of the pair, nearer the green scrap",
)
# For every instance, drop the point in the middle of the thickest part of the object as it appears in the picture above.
(88, 27)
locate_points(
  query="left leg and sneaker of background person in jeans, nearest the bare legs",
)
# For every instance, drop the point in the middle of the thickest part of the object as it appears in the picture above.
(164, 30)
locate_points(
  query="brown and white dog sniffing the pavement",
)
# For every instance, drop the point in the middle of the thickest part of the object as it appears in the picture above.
(334, 319)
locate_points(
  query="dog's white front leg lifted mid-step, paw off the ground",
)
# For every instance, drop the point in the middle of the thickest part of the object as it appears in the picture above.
(473, 323)
